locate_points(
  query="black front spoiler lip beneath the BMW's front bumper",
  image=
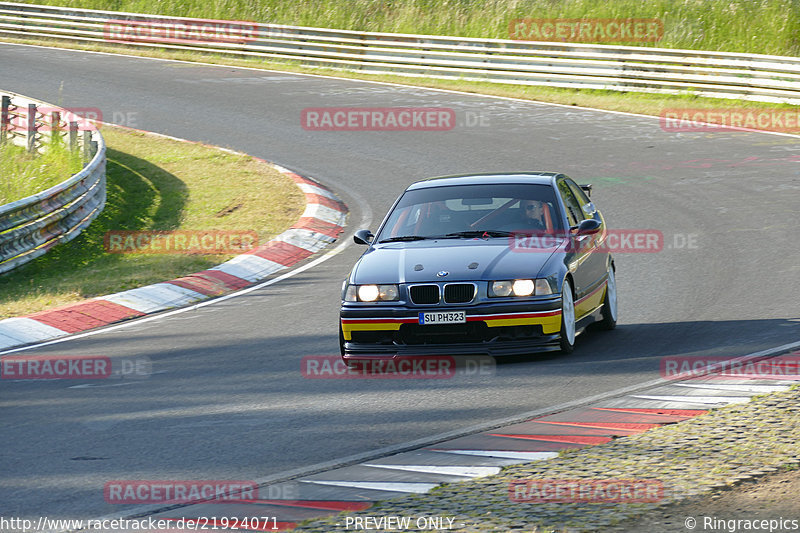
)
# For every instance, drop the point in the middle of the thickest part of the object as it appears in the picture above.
(546, 343)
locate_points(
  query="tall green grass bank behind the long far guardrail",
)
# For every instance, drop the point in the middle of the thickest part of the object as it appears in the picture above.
(753, 26)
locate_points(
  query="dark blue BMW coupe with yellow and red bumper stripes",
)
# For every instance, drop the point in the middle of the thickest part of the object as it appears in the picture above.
(480, 264)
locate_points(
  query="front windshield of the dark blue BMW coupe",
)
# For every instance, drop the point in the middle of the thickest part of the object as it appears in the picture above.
(468, 211)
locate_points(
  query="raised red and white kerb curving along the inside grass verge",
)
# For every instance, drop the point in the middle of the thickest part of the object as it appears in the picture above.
(320, 225)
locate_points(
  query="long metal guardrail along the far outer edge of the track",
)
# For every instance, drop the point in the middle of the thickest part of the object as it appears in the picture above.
(587, 66)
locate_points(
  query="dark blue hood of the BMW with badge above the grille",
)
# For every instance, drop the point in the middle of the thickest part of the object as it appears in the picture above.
(464, 260)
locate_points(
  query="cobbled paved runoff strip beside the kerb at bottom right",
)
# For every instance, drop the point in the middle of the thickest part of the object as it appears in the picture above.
(691, 461)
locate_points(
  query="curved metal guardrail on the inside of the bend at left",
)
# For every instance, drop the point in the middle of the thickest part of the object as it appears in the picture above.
(31, 226)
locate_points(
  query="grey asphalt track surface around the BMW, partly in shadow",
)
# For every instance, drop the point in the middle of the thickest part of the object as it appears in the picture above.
(227, 400)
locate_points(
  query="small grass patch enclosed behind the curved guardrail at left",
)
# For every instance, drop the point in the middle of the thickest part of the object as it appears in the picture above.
(23, 174)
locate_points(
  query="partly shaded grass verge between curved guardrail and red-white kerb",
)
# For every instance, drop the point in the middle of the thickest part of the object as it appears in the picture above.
(155, 183)
